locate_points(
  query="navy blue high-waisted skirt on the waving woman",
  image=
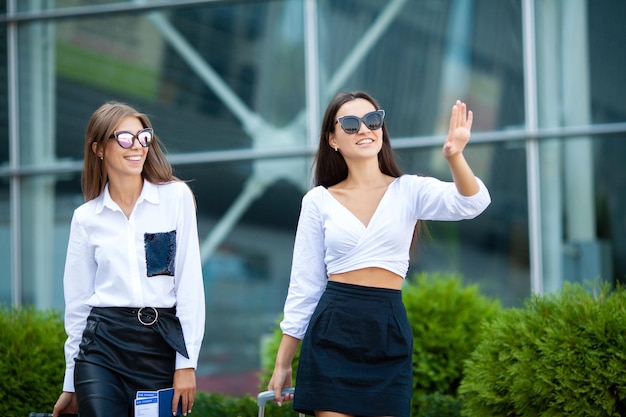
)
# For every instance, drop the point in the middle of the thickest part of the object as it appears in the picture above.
(356, 356)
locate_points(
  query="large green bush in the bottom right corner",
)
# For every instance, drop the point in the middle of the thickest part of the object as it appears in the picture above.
(562, 355)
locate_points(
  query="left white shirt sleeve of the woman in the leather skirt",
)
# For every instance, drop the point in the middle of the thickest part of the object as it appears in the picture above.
(78, 287)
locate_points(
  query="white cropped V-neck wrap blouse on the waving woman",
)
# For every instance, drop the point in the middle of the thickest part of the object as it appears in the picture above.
(331, 240)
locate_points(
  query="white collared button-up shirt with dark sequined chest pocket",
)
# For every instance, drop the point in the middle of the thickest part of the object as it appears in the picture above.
(109, 264)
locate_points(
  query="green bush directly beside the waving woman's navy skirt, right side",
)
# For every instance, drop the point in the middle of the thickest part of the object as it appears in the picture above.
(447, 320)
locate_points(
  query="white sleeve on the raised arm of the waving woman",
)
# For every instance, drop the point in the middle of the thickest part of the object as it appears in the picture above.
(440, 200)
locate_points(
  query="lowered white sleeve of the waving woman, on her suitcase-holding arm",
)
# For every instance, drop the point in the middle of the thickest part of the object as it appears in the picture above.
(308, 271)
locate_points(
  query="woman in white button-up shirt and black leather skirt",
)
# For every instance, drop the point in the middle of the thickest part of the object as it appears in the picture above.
(134, 295)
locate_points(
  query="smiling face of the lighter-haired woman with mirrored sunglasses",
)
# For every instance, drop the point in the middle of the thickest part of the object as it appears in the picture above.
(120, 162)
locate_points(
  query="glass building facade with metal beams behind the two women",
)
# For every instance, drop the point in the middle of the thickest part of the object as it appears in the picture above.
(235, 90)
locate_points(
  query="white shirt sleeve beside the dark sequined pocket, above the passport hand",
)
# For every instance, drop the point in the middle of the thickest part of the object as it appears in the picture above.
(189, 285)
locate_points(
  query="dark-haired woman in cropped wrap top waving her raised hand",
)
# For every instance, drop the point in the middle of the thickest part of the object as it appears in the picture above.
(350, 257)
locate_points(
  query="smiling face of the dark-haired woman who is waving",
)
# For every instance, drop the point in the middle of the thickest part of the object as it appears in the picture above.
(365, 143)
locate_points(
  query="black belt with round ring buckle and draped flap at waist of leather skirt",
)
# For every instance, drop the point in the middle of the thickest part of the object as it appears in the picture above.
(163, 320)
